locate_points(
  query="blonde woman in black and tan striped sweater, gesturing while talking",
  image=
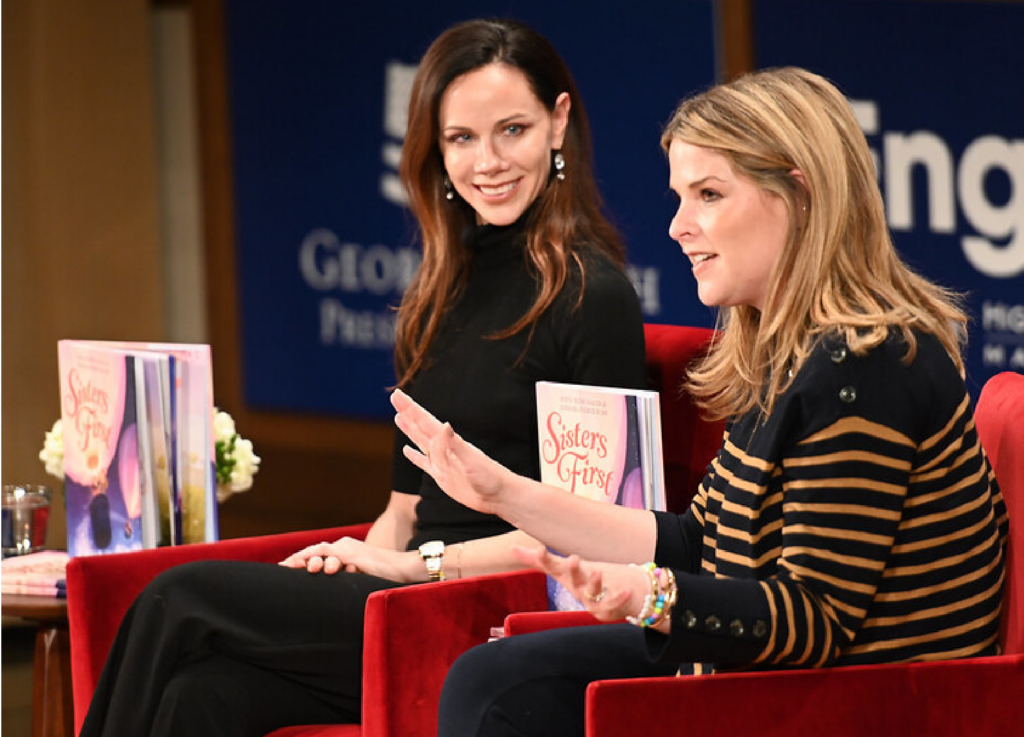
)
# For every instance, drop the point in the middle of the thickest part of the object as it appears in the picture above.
(850, 517)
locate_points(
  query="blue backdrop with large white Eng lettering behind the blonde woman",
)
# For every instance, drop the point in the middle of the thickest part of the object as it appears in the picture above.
(938, 91)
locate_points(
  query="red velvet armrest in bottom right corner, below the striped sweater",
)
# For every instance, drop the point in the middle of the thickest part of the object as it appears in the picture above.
(940, 700)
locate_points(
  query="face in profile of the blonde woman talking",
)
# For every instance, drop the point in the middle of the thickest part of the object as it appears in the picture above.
(731, 230)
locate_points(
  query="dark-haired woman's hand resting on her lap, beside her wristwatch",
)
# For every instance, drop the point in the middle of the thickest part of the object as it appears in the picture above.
(349, 554)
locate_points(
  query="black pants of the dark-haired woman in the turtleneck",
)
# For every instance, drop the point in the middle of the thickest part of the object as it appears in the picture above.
(225, 648)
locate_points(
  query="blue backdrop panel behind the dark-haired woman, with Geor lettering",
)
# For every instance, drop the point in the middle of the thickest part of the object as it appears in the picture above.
(319, 91)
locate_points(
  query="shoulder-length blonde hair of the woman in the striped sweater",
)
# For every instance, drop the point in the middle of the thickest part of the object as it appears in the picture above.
(839, 273)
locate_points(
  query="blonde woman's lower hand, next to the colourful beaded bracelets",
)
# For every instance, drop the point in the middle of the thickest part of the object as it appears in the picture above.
(610, 591)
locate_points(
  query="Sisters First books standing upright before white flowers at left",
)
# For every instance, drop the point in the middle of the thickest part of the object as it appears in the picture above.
(140, 462)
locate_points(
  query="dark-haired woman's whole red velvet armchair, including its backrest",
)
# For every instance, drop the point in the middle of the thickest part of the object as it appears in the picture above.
(404, 667)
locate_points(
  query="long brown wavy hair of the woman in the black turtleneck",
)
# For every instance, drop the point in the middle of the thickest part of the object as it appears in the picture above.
(565, 216)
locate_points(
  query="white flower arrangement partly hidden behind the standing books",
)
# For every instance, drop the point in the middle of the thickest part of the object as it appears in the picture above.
(237, 464)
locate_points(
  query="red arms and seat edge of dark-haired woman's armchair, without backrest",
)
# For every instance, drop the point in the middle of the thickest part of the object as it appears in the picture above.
(404, 665)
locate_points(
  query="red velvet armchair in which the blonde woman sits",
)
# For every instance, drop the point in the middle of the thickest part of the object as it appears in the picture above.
(972, 697)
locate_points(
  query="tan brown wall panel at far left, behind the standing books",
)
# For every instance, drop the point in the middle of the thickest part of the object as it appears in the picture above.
(80, 219)
